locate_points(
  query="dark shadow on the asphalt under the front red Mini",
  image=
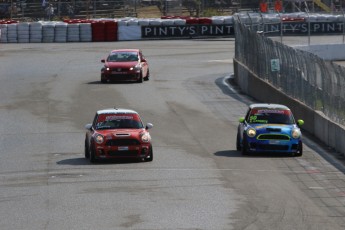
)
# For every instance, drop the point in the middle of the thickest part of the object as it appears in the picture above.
(84, 161)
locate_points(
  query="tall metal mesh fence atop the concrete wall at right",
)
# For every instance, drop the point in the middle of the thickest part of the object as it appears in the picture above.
(302, 75)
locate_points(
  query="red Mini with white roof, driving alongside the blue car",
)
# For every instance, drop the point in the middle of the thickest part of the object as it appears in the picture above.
(118, 133)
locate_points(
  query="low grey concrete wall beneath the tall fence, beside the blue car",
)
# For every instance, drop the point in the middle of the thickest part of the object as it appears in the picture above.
(327, 131)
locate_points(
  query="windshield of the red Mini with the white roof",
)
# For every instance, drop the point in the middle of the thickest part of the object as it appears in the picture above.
(118, 122)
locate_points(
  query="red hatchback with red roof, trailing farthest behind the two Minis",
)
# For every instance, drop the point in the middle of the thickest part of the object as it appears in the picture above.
(125, 65)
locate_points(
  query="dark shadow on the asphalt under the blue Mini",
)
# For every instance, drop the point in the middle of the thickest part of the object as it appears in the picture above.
(235, 153)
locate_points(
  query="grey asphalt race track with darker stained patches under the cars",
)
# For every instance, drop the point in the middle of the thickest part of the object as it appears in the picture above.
(197, 180)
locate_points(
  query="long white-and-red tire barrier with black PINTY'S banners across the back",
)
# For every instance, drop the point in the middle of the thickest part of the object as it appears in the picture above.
(167, 27)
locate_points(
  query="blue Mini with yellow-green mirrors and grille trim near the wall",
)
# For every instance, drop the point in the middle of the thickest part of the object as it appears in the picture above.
(269, 128)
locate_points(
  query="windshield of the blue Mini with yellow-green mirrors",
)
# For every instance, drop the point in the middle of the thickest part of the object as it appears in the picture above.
(271, 117)
